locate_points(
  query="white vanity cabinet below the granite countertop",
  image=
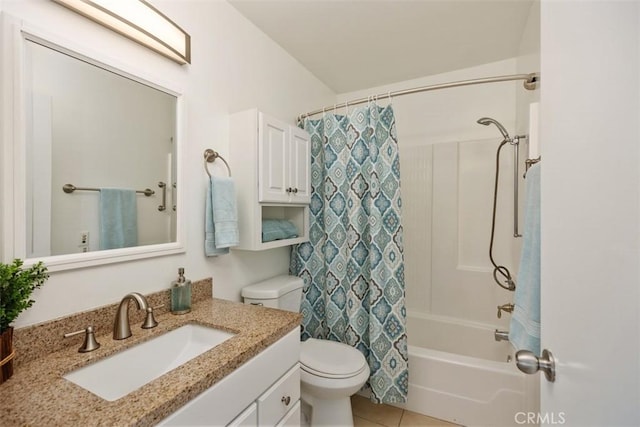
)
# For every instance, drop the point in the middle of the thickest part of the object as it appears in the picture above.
(264, 391)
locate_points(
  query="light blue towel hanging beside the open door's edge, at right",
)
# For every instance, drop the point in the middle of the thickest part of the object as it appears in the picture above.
(524, 330)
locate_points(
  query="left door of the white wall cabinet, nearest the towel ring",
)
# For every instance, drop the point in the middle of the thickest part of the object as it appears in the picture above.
(273, 160)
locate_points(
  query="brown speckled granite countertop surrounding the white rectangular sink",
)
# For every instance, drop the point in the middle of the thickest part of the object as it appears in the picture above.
(37, 395)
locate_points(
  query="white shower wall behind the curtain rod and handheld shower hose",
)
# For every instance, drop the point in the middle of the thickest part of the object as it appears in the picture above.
(448, 165)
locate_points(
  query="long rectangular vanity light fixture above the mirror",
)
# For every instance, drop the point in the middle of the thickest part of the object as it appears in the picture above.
(139, 21)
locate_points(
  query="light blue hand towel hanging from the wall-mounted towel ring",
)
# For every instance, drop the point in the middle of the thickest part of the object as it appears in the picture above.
(221, 226)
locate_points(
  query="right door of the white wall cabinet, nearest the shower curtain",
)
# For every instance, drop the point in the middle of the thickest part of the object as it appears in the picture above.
(300, 170)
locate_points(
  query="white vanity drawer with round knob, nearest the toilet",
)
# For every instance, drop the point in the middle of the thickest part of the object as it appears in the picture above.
(279, 398)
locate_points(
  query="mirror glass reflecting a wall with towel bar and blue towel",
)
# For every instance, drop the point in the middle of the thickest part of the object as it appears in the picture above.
(106, 134)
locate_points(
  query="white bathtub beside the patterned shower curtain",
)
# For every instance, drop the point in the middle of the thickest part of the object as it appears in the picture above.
(459, 373)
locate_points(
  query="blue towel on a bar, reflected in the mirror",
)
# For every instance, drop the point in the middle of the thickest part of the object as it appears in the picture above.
(118, 218)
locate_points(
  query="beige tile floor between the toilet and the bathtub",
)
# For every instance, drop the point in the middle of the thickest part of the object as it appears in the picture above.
(367, 414)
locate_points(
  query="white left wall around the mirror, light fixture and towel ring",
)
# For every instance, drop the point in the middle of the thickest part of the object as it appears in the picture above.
(234, 67)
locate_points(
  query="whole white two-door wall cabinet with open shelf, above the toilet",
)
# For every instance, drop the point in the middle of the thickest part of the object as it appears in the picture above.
(273, 178)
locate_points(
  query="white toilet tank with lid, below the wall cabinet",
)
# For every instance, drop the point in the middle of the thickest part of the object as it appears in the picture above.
(283, 292)
